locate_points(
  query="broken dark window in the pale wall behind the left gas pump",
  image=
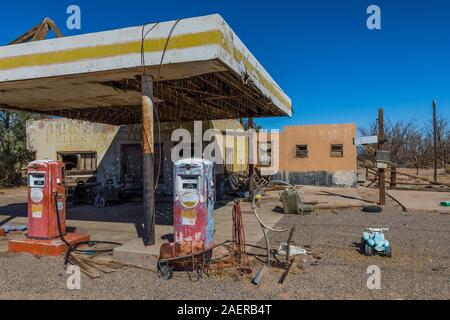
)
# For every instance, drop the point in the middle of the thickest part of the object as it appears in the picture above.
(78, 162)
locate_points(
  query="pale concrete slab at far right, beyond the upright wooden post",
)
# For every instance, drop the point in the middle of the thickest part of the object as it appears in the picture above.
(421, 200)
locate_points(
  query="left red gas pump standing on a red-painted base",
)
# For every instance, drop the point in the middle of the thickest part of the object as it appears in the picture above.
(46, 212)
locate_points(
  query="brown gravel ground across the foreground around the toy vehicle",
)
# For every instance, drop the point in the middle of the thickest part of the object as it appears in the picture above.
(419, 268)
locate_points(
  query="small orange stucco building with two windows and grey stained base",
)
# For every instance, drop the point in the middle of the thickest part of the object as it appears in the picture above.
(318, 155)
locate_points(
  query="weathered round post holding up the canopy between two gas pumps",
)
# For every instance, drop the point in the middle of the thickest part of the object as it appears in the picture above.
(148, 161)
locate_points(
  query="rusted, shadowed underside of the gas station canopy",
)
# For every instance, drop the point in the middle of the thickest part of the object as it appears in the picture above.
(117, 100)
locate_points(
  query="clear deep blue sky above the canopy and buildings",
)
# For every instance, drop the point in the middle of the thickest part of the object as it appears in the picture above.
(319, 51)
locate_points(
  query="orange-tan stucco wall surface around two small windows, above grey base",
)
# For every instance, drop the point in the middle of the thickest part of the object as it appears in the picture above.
(319, 139)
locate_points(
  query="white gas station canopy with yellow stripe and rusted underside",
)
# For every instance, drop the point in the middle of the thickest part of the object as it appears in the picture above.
(200, 69)
